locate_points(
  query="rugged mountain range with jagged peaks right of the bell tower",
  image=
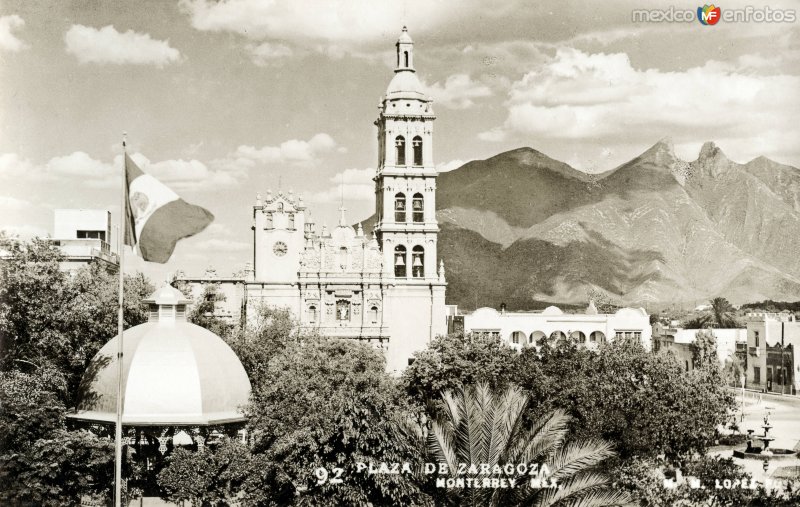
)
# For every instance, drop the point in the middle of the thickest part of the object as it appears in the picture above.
(523, 229)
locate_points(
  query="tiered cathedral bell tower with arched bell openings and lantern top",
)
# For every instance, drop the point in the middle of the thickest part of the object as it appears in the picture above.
(405, 184)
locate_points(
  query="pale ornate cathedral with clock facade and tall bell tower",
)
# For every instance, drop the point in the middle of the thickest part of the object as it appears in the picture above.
(385, 288)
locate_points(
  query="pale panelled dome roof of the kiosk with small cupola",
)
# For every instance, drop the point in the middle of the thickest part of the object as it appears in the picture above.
(173, 373)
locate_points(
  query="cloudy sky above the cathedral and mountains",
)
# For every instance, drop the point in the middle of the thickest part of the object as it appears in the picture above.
(223, 99)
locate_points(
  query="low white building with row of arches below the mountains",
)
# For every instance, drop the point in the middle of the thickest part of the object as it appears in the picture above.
(552, 324)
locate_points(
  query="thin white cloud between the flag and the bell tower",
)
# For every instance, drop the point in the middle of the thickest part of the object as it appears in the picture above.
(293, 151)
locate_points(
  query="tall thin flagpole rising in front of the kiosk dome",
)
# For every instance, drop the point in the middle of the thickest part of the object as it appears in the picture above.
(120, 321)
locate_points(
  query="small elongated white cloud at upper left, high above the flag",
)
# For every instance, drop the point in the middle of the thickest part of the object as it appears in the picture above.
(107, 45)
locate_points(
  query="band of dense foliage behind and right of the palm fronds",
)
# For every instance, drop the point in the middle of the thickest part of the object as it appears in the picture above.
(603, 390)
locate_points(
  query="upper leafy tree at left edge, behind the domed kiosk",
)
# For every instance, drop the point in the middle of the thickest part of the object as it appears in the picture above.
(51, 320)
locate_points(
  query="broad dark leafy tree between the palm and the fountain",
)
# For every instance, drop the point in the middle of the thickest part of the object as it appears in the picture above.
(604, 391)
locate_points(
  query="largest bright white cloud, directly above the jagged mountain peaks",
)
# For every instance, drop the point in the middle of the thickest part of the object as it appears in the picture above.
(602, 98)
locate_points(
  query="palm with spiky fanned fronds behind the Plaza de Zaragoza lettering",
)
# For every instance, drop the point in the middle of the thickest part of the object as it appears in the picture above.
(479, 427)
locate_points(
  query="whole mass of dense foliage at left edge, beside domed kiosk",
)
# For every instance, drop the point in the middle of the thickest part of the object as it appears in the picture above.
(51, 324)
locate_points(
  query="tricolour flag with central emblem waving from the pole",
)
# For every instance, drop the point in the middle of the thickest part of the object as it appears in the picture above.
(156, 217)
